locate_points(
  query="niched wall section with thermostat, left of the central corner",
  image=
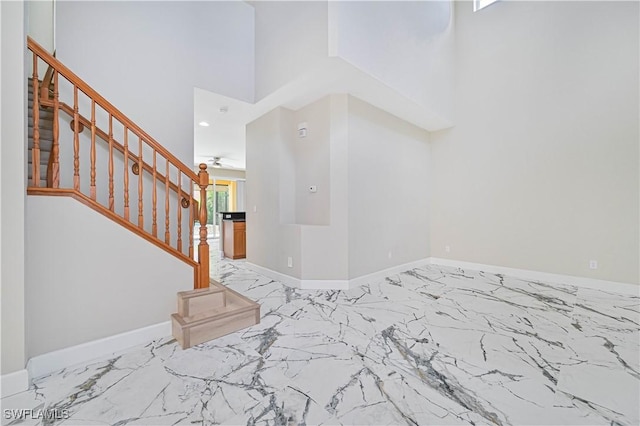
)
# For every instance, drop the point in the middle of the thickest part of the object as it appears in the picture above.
(273, 232)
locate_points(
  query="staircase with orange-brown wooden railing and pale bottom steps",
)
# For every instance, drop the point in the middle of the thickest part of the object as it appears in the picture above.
(145, 189)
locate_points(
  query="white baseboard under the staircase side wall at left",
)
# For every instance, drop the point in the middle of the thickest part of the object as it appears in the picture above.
(53, 361)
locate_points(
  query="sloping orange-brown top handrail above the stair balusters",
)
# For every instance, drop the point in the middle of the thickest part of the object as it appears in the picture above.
(107, 106)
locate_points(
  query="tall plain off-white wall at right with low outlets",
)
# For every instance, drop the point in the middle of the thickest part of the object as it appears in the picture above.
(541, 171)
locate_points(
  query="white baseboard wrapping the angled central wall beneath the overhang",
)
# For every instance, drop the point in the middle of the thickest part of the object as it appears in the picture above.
(334, 284)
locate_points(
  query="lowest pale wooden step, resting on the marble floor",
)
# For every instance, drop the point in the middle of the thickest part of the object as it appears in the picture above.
(238, 313)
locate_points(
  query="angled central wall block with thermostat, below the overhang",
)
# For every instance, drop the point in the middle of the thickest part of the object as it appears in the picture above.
(377, 198)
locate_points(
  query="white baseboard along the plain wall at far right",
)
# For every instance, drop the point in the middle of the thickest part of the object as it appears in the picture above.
(610, 286)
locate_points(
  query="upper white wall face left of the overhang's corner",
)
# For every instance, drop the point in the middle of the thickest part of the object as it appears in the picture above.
(291, 39)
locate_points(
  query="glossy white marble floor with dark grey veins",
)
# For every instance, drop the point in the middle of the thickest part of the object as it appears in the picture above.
(430, 346)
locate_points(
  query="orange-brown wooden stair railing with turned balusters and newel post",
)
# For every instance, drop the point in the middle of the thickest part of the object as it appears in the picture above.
(44, 97)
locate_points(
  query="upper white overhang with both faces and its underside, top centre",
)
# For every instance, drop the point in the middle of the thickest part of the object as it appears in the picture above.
(395, 55)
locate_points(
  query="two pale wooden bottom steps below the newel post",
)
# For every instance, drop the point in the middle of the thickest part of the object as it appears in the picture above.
(206, 314)
